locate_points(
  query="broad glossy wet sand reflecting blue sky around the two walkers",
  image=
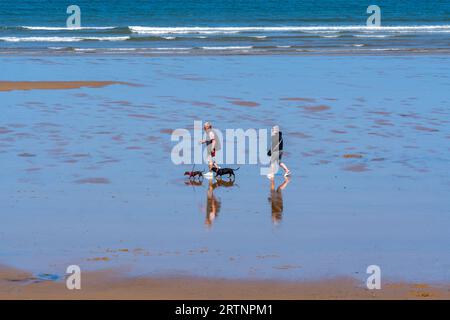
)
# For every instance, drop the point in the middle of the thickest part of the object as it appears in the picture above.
(91, 182)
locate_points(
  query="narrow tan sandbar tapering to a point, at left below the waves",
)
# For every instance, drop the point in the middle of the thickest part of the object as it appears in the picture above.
(53, 85)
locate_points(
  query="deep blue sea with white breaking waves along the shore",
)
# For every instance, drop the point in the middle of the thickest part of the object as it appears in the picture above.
(225, 27)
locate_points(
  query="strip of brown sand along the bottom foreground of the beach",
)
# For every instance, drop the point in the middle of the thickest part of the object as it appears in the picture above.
(16, 284)
